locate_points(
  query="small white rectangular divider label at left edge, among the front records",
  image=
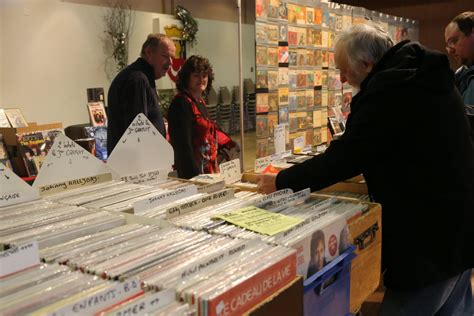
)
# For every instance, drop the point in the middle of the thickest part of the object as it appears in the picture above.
(19, 258)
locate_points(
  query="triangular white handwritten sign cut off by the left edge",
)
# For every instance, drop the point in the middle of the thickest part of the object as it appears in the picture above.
(14, 190)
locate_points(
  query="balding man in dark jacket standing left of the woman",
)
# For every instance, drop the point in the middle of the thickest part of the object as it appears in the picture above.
(133, 90)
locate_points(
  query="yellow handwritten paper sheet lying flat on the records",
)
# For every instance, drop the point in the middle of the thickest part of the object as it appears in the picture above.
(259, 220)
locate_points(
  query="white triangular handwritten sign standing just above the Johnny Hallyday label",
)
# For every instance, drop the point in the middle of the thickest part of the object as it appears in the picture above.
(68, 161)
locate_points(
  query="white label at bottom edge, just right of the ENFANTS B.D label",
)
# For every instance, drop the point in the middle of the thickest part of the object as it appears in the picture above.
(149, 304)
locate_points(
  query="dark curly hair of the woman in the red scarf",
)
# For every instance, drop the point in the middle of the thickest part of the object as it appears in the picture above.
(194, 64)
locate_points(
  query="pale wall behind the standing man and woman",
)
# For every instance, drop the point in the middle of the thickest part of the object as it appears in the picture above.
(52, 51)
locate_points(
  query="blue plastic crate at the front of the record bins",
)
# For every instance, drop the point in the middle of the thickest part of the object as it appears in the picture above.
(327, 292)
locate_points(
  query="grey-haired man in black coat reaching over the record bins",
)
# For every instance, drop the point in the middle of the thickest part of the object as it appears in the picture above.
(409, 135)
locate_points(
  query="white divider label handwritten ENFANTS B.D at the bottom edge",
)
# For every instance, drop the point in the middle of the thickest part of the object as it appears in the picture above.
(103, 299)
